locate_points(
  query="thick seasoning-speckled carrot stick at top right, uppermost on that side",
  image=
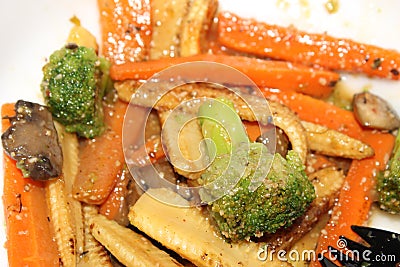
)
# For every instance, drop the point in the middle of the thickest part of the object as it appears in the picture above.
(288, 43)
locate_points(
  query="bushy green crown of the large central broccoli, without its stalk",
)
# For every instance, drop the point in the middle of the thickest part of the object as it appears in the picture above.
(282, 196)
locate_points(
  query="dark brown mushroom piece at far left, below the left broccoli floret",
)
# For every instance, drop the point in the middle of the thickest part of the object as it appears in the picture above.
(33, 142)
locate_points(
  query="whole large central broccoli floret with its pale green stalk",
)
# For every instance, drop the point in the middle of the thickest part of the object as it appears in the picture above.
(249, 191)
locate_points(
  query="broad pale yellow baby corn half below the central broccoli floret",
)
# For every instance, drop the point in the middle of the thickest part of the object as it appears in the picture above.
(189, 233)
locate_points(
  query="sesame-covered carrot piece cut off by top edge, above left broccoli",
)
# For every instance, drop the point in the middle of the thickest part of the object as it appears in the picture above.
(125, 30)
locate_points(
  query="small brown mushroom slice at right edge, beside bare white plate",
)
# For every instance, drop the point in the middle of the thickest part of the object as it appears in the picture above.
(374, 112)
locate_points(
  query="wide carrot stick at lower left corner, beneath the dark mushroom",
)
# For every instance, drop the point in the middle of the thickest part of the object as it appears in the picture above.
(29, 233)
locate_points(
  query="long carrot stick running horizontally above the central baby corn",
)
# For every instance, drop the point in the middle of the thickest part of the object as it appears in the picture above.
(265, 73)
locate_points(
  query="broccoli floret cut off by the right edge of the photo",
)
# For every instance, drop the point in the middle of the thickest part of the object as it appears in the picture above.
(388, 182)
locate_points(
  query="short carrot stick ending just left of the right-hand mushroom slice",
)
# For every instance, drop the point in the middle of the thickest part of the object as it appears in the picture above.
(317, 111)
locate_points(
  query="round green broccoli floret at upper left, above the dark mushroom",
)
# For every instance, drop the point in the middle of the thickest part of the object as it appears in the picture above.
(72, 88)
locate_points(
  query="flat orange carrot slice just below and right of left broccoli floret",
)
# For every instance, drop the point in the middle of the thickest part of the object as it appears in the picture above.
(101, 159)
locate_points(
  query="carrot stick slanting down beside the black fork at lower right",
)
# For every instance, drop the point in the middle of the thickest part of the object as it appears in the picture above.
(355, 196)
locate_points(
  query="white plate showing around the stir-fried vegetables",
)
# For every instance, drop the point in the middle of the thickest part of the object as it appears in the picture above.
(32, 30)
